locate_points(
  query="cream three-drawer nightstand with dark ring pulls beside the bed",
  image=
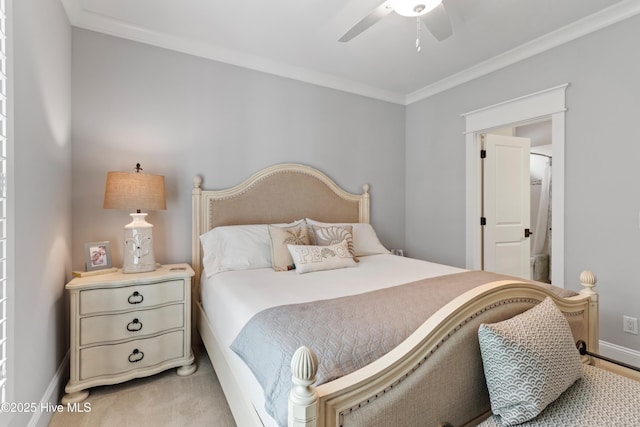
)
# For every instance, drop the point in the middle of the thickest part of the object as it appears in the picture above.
(126, 326)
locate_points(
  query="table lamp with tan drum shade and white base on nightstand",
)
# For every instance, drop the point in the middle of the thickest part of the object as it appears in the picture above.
(141, 192)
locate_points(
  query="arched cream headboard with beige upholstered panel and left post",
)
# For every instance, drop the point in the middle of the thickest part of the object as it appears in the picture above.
(278, 194)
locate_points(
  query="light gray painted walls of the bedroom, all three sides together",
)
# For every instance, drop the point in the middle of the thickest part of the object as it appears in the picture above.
(179, 115)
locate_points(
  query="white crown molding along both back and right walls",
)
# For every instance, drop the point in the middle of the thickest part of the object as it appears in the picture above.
(104, 24)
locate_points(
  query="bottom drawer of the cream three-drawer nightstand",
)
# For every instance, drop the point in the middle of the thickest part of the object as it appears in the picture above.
(119, 358)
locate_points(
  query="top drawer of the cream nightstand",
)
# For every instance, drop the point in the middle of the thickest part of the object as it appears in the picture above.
(130, 297)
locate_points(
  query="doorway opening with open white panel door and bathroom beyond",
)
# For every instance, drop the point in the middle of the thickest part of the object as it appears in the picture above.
(517, 234)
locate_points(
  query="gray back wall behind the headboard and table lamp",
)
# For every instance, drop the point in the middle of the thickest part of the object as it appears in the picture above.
(180, 115)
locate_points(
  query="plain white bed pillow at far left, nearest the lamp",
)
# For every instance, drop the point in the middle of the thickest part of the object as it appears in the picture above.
(236, 247)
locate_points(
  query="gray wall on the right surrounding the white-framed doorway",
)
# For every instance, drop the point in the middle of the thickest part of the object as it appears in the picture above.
(601, 170)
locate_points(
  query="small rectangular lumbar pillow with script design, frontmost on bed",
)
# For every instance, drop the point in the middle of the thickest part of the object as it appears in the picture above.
(309, 258)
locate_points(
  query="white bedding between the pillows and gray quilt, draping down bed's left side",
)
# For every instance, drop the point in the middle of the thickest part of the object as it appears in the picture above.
(231, 298)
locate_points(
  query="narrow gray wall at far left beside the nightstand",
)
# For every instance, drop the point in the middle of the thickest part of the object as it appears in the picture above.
(42, 184)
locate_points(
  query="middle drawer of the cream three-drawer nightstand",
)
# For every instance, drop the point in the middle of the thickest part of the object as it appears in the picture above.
(139, 323)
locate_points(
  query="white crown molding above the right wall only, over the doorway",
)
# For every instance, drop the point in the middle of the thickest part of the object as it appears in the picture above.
(597, 21)
